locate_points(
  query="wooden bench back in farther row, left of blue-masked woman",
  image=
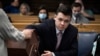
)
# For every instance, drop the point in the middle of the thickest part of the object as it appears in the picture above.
(16, 18)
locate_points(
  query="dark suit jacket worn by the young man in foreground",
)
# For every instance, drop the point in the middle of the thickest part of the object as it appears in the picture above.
(48, 39)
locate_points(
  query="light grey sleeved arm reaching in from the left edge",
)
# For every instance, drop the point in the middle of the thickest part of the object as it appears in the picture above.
(7, 30)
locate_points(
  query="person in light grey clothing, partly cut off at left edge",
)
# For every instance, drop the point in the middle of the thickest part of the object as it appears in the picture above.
(7, 31)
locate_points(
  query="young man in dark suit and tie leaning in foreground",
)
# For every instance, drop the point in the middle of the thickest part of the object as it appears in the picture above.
(49, 30)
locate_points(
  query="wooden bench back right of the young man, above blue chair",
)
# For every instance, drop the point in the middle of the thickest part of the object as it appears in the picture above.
(88, 27)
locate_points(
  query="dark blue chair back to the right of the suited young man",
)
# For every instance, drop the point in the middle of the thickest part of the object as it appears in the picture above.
(85, 42)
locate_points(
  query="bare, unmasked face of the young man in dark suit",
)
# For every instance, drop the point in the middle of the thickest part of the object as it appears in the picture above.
(62, 21)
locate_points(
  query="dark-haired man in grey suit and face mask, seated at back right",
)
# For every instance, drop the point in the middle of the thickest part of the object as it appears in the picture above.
(77, 16)
